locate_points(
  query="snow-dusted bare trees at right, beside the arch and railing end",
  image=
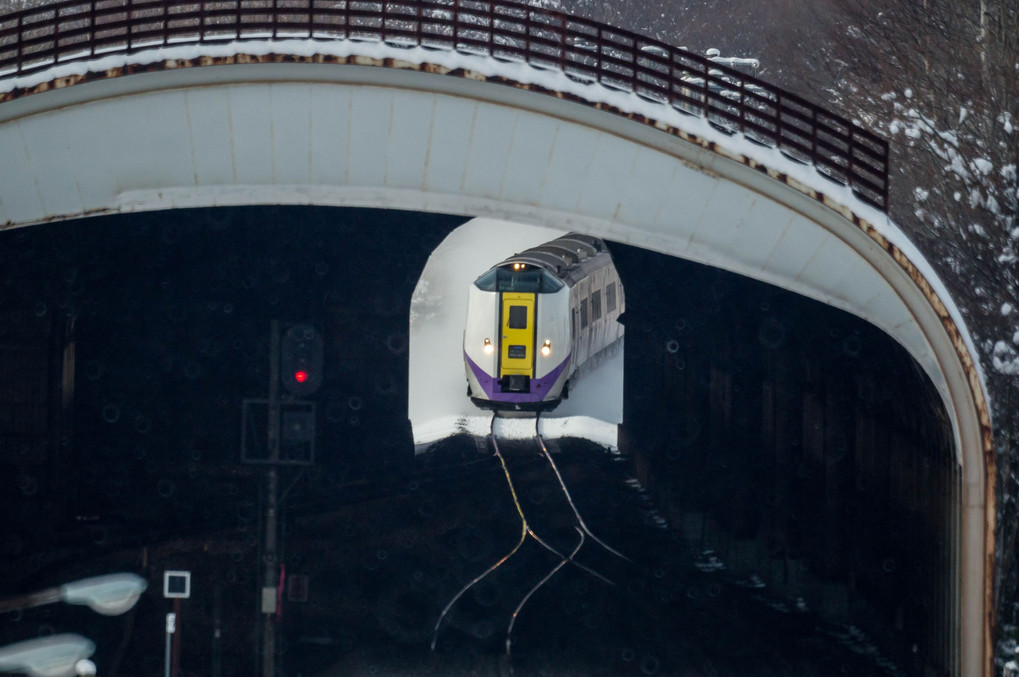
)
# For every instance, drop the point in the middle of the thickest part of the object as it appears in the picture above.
(943, 83)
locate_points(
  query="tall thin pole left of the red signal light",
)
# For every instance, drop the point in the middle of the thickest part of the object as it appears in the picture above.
(270, 581)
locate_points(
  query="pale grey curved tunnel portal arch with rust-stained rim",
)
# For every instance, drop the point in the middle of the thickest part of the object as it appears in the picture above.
(399, 138)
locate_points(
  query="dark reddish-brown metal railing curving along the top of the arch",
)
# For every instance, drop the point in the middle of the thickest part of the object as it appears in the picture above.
(37, 39)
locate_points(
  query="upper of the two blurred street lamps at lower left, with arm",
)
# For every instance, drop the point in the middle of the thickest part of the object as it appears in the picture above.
(111, 596)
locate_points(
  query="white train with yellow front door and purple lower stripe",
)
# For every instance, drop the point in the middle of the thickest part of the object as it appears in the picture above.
(534, 320)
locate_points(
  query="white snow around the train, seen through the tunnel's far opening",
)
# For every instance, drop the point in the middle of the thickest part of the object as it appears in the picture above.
(439, 406)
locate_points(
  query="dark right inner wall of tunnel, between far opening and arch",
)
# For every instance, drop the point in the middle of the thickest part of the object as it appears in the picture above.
(799, 444)
